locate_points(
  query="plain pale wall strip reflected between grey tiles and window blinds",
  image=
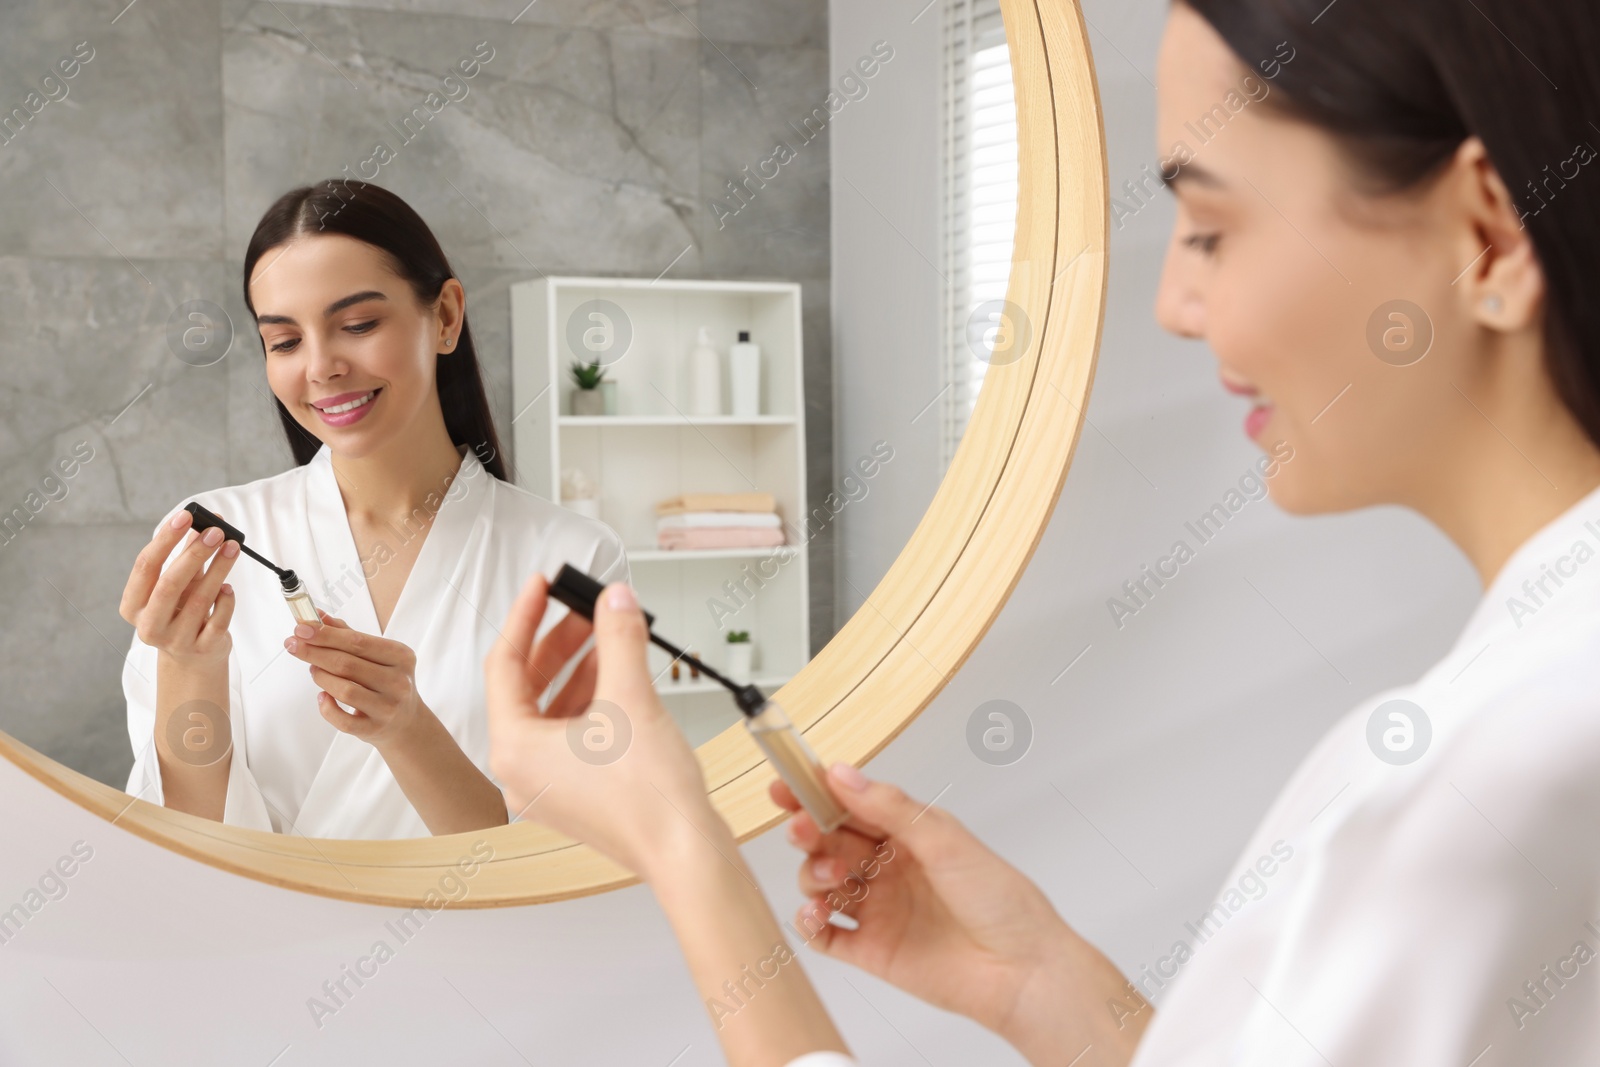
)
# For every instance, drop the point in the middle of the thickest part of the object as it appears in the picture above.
(887, 282)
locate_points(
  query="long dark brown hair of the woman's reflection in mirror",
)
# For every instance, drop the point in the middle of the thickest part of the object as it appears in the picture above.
(388, 223)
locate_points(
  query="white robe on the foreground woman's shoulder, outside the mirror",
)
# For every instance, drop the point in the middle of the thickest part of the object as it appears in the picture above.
(1436, 914)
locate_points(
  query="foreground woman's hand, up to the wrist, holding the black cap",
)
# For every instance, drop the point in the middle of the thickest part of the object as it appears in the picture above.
(606, 764)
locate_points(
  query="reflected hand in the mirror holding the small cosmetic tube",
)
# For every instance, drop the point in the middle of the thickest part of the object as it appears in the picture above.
(370, 674)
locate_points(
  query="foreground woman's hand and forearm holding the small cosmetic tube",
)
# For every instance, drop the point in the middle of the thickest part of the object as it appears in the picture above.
(948, 921)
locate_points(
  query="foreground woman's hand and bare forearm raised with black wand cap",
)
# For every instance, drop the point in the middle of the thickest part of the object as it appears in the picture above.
(618, 775)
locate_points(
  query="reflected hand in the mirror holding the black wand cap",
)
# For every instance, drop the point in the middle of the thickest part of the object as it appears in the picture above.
(185, 610)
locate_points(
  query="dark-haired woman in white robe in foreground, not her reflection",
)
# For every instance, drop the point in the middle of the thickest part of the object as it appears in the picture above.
(1433, 874)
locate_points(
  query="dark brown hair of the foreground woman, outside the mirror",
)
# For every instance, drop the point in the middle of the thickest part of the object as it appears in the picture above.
(1401, 84)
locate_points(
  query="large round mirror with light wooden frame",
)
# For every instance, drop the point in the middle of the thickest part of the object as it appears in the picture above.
(788, 324)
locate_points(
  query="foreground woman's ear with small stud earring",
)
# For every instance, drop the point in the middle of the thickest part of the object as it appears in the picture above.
(1505, 286)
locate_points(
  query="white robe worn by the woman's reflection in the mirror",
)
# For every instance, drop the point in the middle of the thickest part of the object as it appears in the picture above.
(290, 770)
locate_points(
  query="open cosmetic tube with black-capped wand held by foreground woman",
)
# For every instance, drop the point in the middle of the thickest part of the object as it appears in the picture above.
(766, 719)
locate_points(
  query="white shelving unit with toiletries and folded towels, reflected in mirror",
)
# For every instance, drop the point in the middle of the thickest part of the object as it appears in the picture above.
(652, 450)
